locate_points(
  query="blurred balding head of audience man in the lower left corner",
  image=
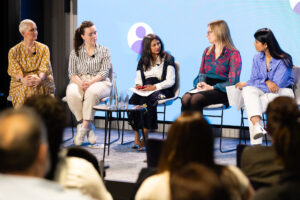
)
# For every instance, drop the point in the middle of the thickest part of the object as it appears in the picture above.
(23, 143)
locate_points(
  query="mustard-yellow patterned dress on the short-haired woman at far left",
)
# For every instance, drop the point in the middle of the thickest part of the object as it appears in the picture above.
(20, 61)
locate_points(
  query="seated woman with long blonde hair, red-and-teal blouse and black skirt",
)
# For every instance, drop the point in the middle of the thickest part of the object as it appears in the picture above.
(220, 67)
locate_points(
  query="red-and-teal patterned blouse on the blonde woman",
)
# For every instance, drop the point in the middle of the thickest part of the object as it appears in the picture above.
(226, 67)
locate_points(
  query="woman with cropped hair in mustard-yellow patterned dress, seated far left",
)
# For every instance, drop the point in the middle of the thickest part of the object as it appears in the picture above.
(29, 66)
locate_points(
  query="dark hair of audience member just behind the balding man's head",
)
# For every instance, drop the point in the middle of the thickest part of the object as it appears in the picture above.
(53, 114)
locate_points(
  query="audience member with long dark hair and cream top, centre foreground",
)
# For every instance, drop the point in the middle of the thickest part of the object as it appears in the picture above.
(190, 140)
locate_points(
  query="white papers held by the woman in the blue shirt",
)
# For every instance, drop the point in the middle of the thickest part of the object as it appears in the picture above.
(235, 97)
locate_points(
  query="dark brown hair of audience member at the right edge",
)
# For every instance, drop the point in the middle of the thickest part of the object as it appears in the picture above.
(283, 125)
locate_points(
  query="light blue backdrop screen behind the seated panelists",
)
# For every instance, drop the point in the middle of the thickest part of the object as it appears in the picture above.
(182, 25)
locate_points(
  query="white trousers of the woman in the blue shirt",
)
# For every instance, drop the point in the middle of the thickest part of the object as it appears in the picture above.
(256, 102)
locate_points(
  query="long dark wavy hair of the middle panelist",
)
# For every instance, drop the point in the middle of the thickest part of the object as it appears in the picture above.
(146, 56)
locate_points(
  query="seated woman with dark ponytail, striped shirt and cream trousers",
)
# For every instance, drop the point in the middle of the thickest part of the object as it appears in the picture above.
(89, 65)
